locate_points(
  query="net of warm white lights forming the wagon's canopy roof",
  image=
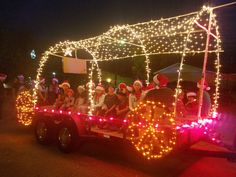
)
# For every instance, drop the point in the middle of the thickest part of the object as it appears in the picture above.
(164, 36)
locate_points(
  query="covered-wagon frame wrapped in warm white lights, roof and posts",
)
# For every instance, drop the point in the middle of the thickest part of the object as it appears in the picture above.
(192, 33)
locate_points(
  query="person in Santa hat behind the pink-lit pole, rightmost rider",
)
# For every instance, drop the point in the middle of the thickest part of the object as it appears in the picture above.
(206, 101)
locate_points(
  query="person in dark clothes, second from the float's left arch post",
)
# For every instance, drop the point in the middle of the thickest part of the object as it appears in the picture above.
(53, 91)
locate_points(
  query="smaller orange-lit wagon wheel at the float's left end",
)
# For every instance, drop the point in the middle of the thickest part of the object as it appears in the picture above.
(25, 108)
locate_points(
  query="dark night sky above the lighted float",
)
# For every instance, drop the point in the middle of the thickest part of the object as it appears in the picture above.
(37, 24)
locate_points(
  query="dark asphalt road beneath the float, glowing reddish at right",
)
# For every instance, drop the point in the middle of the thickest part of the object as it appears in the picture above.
(22, 156)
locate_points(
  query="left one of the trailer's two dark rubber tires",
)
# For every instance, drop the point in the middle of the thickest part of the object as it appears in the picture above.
(43, 132)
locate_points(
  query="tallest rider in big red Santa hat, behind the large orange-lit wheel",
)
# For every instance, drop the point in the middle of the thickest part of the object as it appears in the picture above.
(161, 93)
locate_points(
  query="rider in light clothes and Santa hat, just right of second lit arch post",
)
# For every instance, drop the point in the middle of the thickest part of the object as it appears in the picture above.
(98, 98)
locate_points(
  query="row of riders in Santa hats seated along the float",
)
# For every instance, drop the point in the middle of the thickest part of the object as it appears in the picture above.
(111, 101)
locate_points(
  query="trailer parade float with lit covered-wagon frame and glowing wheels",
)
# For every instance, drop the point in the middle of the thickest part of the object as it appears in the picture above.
(151, 128)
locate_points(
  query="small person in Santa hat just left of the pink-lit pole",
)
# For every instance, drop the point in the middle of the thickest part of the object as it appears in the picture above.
(192, 105)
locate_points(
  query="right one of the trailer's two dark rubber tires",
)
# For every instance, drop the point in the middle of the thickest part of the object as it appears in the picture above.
(67, 138)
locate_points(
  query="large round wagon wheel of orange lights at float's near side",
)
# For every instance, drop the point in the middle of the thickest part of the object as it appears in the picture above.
(152, 129)
